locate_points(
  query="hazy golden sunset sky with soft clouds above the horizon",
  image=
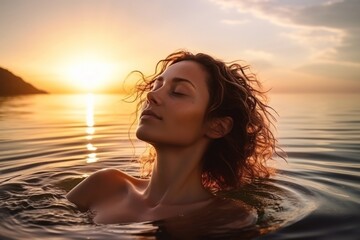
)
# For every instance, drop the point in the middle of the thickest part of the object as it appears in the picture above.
(293, 45)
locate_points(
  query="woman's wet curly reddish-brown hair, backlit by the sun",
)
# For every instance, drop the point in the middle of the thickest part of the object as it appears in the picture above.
(242, 155)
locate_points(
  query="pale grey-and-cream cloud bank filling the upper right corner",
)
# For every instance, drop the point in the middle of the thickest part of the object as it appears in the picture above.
(331, 28)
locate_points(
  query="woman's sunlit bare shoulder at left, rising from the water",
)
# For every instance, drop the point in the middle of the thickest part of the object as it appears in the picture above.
(102, 185)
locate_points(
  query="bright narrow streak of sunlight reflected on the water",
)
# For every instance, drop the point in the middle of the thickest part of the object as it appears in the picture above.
(90, 129)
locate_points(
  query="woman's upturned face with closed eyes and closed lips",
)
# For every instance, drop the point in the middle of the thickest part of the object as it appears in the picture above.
(176, 107)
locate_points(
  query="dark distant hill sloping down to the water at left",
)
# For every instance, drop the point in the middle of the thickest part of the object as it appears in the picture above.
(11, 84)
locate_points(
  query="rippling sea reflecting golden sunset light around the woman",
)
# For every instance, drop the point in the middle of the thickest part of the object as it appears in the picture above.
(50, 142)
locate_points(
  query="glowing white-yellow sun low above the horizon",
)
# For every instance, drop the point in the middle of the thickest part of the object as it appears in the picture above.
(89, 74)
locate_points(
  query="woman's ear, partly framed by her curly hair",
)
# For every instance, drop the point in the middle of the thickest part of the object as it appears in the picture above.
(219, 127)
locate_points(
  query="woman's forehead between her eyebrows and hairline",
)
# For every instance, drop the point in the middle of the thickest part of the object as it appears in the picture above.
(189, 70)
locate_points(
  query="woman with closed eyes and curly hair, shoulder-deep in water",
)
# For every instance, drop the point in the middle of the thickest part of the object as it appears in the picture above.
(209, 129)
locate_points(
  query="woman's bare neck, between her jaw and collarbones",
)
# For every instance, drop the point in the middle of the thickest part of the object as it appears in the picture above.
(176, 177)
